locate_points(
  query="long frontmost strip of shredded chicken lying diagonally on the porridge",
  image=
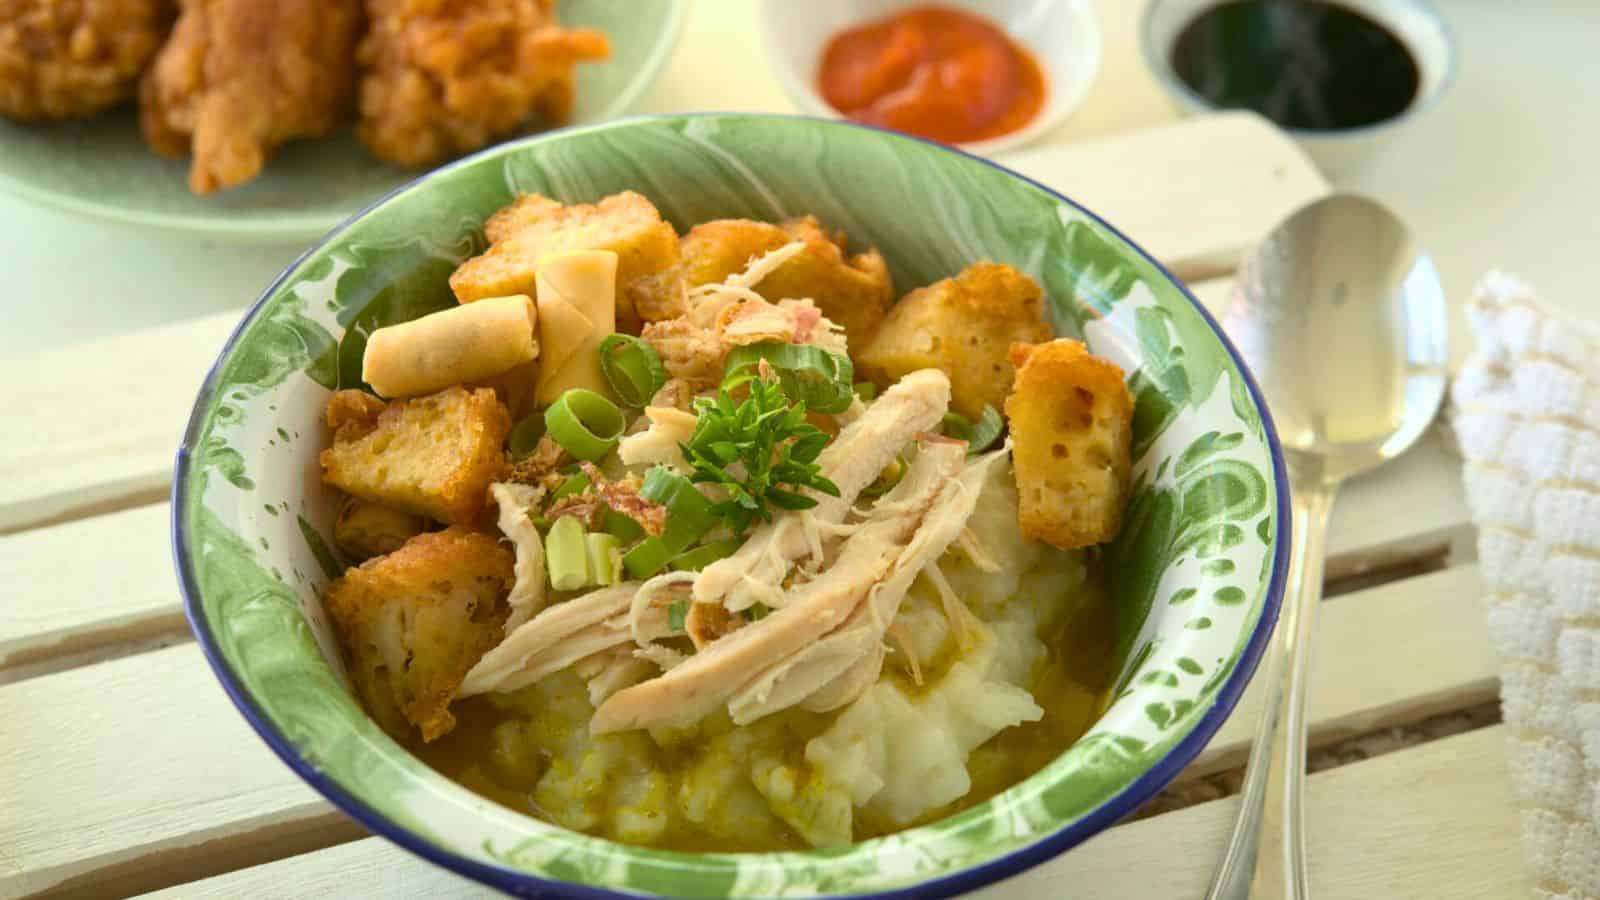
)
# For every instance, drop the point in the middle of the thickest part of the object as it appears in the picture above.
(716, 673)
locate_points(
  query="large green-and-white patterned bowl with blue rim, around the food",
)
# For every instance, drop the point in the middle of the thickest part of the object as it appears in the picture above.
(1198, 574)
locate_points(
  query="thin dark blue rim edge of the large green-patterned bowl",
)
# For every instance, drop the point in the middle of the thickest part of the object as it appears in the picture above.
(519, 883)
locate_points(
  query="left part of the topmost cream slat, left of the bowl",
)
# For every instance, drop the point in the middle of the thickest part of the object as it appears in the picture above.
(98, 424)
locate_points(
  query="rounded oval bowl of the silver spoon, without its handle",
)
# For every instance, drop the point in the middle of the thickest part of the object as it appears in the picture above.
(1343, 321)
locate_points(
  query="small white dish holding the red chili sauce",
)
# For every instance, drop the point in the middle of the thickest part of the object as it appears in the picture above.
(1062, 34)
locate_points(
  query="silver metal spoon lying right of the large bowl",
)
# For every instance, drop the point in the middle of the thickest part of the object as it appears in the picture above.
(1343, 323)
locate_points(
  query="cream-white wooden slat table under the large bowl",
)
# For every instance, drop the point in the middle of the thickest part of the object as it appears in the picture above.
(126, 769)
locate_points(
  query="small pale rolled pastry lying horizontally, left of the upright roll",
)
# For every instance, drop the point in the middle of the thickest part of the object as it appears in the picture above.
(452, 347)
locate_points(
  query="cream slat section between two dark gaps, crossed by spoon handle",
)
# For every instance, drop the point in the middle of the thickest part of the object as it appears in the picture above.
(1383, 657)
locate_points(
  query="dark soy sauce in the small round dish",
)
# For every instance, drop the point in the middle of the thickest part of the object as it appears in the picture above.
(1302, 63)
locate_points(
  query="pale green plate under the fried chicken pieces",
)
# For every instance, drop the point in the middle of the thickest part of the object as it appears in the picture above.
(103, 169)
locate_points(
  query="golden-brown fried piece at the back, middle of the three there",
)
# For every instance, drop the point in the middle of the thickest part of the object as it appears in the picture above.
(855, 292)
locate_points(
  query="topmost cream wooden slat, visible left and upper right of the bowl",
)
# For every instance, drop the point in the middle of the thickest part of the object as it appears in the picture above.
(103, 420)
